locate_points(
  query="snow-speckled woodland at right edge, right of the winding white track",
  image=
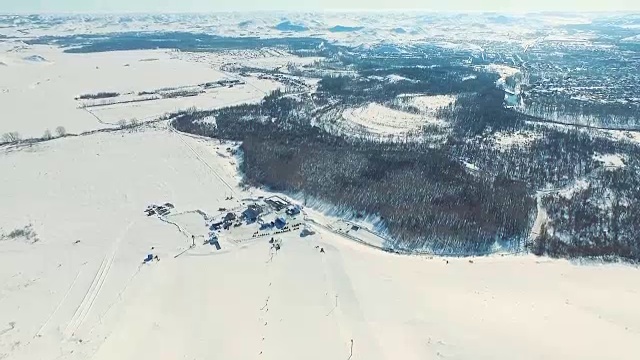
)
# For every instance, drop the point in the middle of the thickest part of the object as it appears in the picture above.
(601, 220)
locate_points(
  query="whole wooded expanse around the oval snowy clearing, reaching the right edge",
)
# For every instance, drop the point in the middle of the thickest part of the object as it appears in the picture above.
(425, 196)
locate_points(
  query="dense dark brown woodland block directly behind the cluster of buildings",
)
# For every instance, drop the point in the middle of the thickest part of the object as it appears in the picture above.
(424, 196)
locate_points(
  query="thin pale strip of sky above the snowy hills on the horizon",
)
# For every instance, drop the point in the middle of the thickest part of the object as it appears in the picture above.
(98, 6)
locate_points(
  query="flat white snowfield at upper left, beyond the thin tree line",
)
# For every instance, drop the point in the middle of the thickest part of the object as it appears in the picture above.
(40, 95)
